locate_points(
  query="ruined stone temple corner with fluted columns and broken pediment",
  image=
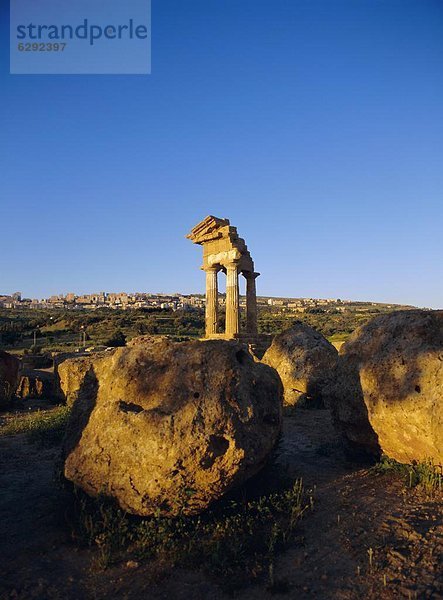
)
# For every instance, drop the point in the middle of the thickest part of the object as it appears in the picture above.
(224, 250)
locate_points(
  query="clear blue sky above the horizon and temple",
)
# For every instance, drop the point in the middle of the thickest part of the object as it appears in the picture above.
(315, 126)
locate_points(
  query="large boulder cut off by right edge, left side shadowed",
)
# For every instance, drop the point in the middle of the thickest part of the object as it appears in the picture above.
(388, 395)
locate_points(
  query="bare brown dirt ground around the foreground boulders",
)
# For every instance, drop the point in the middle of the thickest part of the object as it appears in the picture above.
(368, 536)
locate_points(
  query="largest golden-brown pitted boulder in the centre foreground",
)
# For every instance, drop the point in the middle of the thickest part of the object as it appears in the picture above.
(171, 427)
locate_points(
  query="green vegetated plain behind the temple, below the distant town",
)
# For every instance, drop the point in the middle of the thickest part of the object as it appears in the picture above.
(63, 330)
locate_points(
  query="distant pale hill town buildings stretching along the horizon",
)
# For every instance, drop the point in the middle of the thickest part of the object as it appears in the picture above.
(125, 301)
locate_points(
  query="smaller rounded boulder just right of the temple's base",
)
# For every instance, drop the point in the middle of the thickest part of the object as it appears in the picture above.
(306, 363)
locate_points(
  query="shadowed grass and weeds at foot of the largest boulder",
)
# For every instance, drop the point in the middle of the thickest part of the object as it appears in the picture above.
(236, 542)
